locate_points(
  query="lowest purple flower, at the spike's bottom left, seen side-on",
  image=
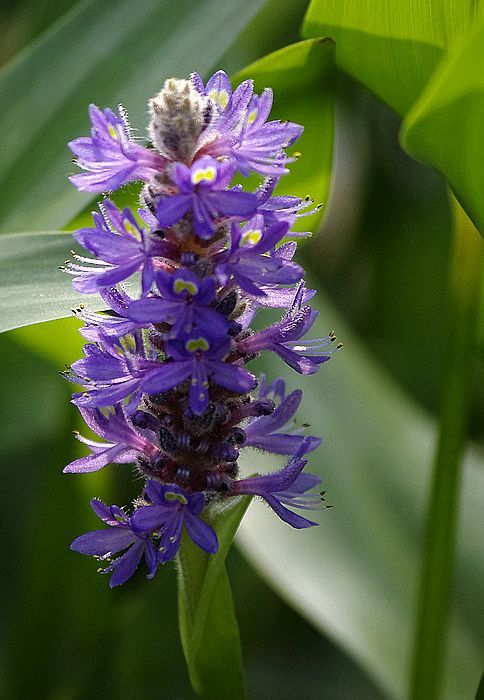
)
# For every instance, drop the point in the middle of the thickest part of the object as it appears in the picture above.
(104, 543)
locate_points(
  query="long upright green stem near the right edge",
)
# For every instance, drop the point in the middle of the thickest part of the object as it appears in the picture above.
(441, 524)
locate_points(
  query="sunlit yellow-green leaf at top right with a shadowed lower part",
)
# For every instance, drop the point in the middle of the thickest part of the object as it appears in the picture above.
(392, 46)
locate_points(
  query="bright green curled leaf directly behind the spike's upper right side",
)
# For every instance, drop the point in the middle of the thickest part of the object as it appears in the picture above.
(302, 79)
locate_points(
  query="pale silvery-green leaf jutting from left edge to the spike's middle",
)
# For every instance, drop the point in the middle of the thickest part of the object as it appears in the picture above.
(32, 288)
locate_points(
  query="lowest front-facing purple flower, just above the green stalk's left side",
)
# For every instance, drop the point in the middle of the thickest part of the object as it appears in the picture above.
(171, 510)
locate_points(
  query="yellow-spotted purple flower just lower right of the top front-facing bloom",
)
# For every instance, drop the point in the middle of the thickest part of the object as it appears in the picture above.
(252, 260)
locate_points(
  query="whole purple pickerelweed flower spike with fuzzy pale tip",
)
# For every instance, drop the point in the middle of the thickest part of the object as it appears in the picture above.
(164, 378)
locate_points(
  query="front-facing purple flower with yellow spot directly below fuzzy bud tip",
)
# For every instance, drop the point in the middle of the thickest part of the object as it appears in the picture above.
(201, 189)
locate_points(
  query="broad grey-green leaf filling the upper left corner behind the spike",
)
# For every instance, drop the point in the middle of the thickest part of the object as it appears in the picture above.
(111, 52)
